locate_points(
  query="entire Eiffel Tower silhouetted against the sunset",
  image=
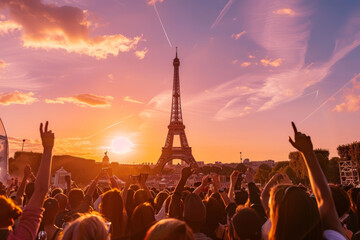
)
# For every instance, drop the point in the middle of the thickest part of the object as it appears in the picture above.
(176, 128)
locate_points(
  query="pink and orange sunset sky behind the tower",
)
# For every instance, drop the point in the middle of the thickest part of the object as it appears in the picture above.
(102, 70)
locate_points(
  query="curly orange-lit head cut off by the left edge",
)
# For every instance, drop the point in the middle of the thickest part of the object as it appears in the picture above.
(8, 212)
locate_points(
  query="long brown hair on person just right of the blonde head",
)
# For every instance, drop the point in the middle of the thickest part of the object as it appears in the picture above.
(112, 208)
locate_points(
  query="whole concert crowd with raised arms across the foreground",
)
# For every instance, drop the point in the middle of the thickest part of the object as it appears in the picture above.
(280, 210)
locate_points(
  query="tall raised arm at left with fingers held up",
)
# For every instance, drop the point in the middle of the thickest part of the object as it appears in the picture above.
(43, 174)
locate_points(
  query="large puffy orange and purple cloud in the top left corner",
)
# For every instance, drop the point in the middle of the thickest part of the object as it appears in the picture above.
(48, 26)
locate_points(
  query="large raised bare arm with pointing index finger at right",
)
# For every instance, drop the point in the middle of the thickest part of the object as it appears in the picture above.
(319, 184)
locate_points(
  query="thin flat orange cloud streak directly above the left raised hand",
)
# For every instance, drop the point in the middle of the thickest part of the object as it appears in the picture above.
(84, 100)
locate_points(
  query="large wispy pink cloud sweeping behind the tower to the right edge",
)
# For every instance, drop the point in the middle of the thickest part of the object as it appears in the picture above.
(286, 44)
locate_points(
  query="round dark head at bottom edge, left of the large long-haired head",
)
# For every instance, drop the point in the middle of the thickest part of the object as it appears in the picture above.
(246, 224)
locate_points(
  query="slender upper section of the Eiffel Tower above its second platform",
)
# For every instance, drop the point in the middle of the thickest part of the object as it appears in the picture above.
(176, 115)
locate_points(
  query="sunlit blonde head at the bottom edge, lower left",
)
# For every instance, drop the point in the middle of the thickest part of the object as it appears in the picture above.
(86, 227)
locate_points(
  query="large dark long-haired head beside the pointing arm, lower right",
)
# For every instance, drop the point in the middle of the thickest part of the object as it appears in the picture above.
(293, 214)
